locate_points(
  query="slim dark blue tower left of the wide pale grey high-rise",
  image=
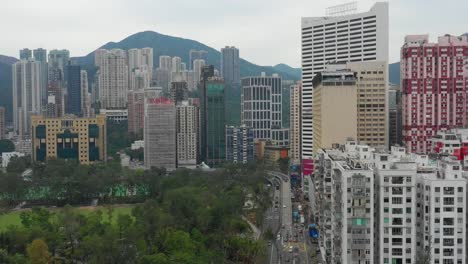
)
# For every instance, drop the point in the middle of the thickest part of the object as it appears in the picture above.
(73, 101)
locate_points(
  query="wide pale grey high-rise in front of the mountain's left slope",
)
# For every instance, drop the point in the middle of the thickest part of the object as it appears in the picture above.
(112, 78)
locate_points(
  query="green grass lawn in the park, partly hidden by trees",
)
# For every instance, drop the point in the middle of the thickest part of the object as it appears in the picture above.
(13, 218)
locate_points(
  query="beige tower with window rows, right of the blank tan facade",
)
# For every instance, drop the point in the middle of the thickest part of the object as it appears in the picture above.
(372, 101)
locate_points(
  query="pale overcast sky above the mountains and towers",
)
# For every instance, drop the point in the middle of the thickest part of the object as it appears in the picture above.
(267, 32)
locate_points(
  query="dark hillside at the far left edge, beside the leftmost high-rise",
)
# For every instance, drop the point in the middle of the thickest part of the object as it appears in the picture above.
(6, 84)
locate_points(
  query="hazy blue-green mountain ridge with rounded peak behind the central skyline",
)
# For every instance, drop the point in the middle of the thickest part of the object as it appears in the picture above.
(175, 46)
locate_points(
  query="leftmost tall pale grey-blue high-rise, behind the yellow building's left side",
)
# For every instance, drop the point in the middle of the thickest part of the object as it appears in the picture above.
(26, 94)
